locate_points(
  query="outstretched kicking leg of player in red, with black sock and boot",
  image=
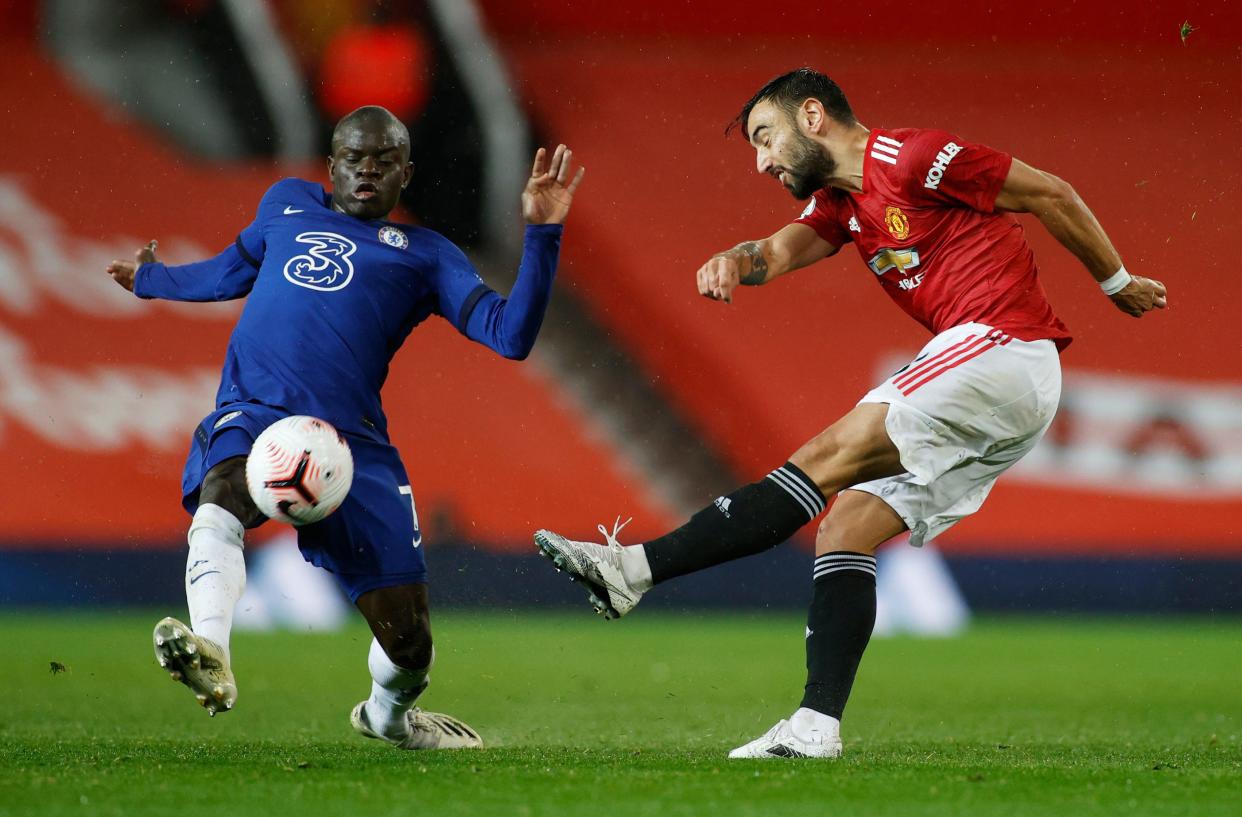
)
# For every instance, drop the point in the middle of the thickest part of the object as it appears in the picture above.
(750, 521)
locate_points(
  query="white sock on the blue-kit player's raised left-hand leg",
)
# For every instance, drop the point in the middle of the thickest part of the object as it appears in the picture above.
(215, 573)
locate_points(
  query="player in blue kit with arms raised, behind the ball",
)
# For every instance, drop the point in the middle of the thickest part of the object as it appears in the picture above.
(333, 291)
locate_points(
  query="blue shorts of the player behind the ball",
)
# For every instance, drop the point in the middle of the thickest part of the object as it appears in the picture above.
(373, 541)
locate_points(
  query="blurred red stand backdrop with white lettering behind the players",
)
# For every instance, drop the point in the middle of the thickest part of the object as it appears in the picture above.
(99, 394)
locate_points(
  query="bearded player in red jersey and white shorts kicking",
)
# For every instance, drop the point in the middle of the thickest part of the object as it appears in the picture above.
(930, 214)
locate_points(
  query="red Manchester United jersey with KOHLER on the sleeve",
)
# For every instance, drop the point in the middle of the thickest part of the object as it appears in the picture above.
(925, 224)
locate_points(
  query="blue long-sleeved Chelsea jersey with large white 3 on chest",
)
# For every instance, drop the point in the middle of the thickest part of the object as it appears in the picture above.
(332, 299)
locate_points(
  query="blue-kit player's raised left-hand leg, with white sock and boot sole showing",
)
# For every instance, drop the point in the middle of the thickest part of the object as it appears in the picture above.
(215, 577)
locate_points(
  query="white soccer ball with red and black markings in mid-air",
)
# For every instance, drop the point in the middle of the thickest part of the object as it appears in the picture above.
(300, 470)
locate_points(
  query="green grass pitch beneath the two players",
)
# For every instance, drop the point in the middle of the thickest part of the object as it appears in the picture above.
(1064, 717)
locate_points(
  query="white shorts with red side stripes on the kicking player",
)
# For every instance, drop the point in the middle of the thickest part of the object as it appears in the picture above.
(969, 407)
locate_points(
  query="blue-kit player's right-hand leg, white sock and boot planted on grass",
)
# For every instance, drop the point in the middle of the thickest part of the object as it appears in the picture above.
(401, 661)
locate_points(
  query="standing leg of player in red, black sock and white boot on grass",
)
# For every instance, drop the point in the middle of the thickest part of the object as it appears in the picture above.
(839, 626)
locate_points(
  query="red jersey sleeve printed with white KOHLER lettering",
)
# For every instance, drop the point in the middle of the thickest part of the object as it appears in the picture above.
(951, 171)
